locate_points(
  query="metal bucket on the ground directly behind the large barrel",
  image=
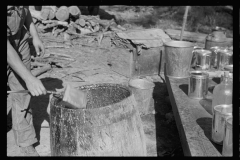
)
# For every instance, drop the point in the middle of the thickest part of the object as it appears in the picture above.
(142, 90)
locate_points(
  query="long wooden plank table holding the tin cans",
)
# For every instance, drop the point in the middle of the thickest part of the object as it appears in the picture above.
(193, 119)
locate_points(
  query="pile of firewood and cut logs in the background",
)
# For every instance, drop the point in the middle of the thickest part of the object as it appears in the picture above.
(70, 21)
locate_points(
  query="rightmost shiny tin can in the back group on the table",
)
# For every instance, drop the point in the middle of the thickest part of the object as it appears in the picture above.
(224, 58)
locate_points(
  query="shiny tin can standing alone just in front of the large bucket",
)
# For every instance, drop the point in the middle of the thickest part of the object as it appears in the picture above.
(198, 84)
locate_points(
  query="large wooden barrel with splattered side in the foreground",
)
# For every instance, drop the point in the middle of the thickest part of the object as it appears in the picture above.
(109, 126)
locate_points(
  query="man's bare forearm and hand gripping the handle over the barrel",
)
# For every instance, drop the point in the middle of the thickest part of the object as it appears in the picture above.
(33, 84)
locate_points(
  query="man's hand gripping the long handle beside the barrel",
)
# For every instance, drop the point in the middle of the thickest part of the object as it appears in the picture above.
(35, 86)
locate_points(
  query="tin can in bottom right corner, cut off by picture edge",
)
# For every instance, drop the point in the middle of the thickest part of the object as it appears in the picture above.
(227, 141)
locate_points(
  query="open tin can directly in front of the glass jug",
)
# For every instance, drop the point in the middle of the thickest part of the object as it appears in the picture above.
(220, 112)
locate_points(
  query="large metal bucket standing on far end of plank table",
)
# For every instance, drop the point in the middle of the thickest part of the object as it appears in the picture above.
(178, 56)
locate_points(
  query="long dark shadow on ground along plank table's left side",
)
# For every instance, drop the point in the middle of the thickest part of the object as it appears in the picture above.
(168, 141)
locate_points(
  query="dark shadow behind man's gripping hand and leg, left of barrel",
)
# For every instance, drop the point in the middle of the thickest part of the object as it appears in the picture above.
(39, 105)
